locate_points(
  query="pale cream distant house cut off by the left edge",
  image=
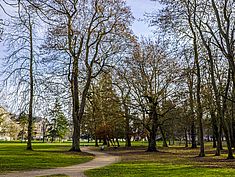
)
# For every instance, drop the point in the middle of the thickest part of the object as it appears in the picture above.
(9, 129)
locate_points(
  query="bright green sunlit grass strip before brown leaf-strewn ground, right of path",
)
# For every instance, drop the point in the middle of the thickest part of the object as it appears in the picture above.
(156, 169)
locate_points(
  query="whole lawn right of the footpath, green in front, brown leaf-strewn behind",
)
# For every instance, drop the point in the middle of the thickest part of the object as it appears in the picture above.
(170, 162)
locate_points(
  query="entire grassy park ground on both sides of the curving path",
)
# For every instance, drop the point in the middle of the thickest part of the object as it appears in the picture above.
(175, 161)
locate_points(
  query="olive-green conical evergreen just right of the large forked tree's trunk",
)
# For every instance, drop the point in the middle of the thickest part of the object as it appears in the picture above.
(111, 116)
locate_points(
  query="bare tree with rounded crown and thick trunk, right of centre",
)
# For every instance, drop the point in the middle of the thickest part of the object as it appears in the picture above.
(152, 81)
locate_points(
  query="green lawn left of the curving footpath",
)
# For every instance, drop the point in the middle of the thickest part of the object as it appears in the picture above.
(14, 157)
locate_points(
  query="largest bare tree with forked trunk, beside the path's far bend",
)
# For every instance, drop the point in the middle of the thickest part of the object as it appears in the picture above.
(89, 34)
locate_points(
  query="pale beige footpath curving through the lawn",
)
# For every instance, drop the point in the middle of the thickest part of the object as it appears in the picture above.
(101, 159)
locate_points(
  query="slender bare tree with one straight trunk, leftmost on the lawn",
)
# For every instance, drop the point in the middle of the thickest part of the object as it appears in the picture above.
(20, 64)
